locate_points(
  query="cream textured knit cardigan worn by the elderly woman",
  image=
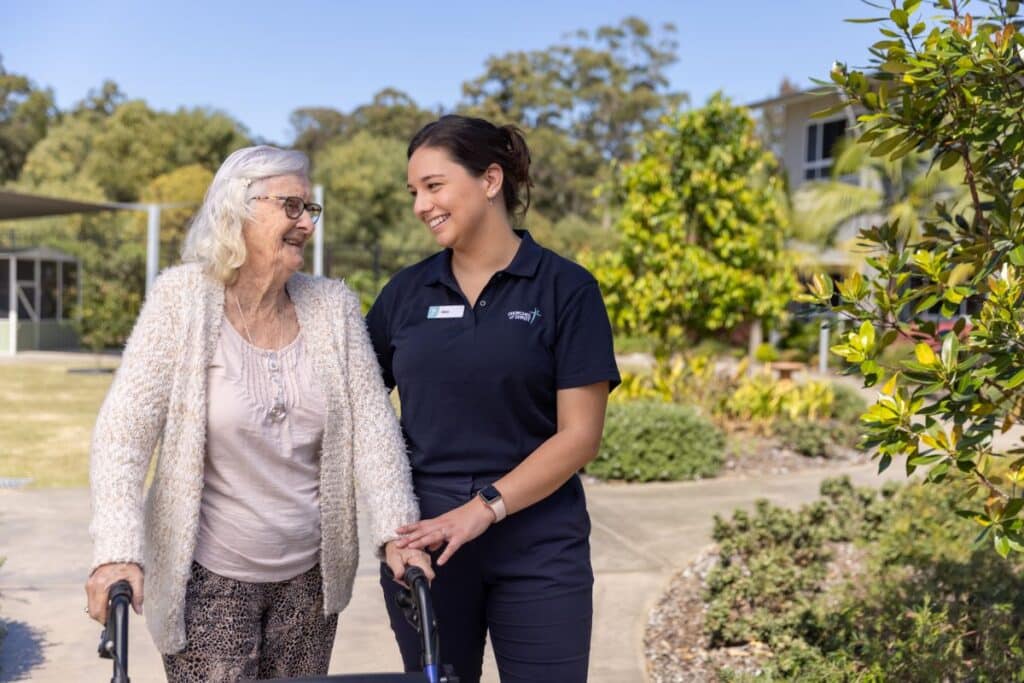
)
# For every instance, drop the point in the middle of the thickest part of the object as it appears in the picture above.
(160, 396)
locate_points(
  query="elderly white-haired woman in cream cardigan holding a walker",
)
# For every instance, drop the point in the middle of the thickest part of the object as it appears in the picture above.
(263, 391)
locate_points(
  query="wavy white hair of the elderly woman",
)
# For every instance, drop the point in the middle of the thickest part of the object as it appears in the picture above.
(216, 235)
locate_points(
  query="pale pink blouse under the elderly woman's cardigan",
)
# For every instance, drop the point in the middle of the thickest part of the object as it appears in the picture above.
(260, 519)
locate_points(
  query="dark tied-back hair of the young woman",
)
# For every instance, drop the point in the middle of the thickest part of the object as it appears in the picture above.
(476, 145)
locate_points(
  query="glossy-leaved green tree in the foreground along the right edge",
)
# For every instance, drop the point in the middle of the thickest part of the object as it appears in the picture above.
(950, 88)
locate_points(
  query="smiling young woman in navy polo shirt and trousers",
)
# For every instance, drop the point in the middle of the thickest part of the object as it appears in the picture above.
(502, 355)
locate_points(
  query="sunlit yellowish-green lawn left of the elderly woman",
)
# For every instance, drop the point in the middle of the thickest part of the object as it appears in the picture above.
(48, 419)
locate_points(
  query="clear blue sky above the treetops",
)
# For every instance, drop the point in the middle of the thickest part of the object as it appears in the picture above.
(260, 61)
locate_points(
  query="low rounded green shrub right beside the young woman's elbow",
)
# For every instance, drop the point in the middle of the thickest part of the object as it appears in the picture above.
(657, 442)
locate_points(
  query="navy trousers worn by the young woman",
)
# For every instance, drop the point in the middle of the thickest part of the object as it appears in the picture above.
(527, 581)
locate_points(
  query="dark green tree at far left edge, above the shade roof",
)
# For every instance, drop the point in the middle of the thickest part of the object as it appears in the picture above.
(26, 113)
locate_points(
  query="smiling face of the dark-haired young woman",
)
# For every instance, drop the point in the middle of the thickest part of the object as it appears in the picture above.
(448, 199)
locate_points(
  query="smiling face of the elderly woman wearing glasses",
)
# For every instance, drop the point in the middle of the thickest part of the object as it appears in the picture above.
(274, 242)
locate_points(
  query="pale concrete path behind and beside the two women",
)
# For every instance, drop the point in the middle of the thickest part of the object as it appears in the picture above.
(642, 536)
